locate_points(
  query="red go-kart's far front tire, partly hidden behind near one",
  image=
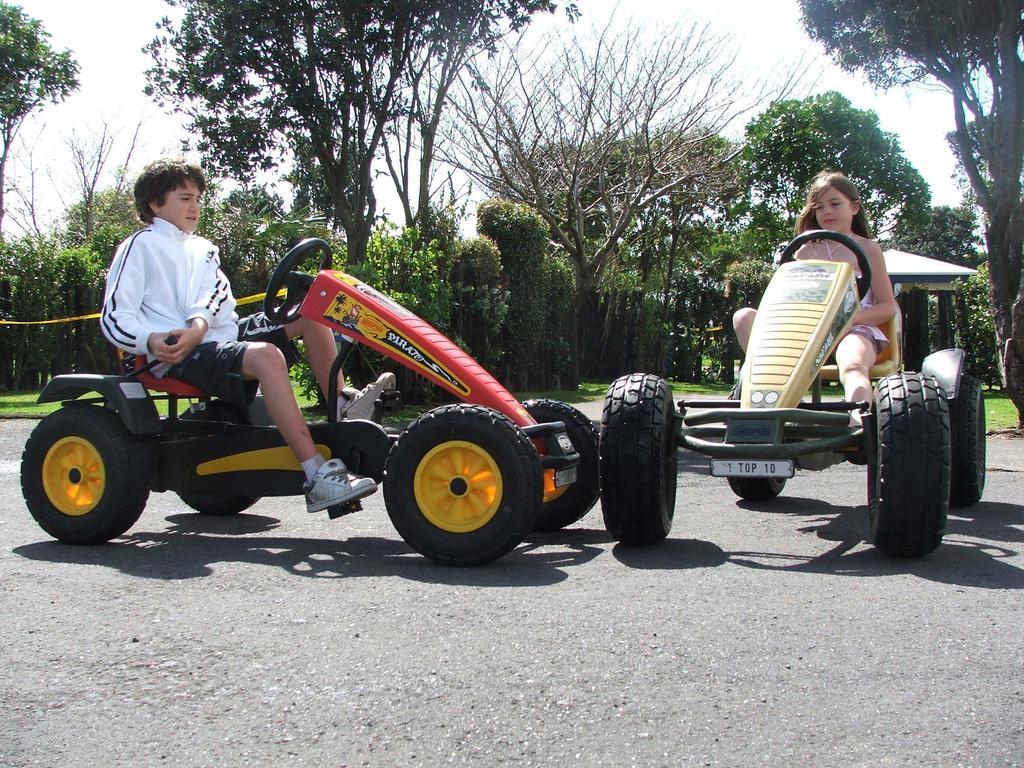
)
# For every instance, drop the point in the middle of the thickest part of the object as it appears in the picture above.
(581, 497)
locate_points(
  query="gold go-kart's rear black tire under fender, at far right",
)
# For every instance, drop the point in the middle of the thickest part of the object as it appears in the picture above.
(967, 425)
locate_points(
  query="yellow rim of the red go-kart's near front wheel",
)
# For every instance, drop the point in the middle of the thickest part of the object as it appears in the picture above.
(458, 487)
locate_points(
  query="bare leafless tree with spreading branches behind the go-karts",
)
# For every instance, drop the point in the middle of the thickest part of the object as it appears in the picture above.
(591, 131)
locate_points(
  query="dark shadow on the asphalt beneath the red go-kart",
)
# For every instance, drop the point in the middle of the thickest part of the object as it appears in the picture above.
(196, 543)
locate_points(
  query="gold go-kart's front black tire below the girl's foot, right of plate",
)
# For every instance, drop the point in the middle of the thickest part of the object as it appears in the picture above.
(909, 494)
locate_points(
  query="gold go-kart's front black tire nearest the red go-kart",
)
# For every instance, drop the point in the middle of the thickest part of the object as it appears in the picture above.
(638, 460)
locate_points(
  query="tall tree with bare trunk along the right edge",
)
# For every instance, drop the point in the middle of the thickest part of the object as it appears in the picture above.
(974, 50)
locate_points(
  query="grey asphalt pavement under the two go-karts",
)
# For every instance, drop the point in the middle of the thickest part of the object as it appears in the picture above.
(755, 635)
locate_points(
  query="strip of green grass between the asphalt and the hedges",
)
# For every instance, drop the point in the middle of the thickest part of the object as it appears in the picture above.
(1000, 412)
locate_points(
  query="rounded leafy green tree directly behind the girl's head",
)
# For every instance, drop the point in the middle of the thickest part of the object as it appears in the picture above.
(793, 141)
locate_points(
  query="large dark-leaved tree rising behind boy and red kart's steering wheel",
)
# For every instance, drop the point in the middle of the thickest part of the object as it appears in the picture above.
(325, 79)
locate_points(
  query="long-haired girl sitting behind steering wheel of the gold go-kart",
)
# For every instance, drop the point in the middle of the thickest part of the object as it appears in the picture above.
(834, 203)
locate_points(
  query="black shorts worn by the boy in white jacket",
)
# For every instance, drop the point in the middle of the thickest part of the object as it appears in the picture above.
(216, 367)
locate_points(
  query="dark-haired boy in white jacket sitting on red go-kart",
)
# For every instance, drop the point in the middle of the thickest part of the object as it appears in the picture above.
(167, 297)
